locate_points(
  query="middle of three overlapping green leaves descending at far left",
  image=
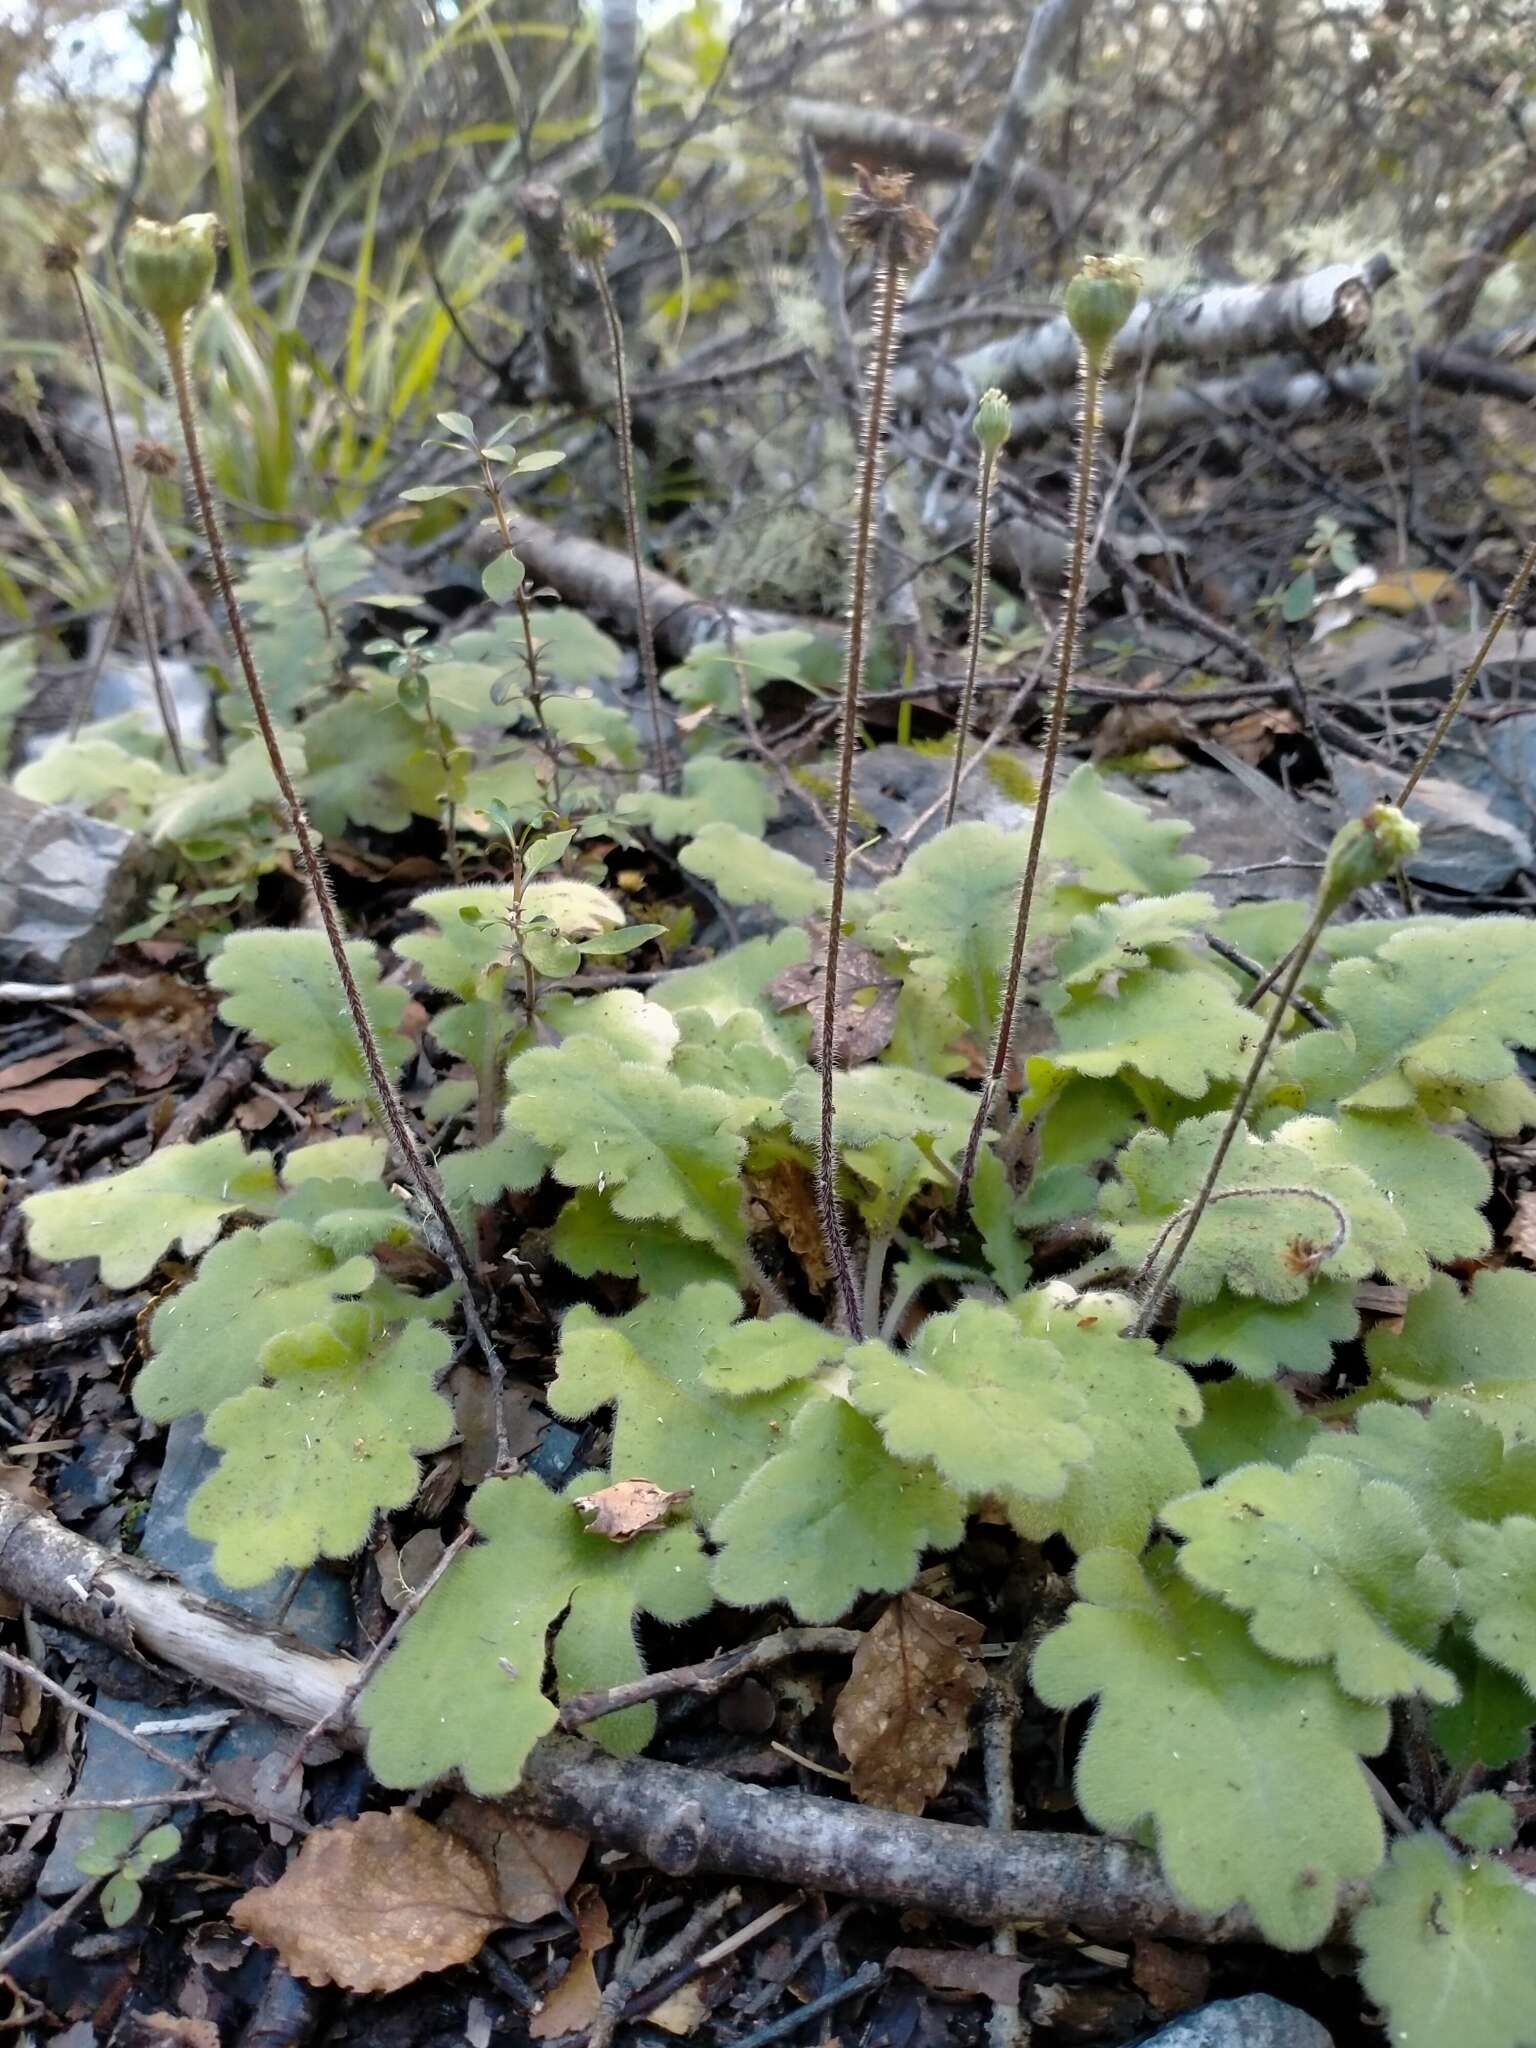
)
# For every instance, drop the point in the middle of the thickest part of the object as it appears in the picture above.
(208, 1338)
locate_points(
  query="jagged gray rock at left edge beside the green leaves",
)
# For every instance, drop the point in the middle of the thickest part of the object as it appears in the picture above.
(69, 886)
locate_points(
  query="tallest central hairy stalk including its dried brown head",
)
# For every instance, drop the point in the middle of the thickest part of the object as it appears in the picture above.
(898, 237)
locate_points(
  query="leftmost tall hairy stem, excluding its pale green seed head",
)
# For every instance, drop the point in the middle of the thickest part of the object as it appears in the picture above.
(314, 865)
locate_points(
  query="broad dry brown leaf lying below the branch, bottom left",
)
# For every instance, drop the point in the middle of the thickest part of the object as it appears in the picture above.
(376, 1904)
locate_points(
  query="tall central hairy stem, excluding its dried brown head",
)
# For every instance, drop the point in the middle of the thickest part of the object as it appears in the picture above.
(888, 323)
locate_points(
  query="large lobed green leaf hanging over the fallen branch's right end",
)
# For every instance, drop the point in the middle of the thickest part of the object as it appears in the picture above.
(1211, 1740)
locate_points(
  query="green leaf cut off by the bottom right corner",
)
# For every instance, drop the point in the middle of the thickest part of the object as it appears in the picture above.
(1451, 1949)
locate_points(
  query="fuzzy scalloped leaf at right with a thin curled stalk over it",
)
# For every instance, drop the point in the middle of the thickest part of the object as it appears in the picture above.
(1246, 1244)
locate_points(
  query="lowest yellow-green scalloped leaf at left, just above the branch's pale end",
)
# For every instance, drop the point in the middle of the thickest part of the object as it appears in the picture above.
(327, 1445)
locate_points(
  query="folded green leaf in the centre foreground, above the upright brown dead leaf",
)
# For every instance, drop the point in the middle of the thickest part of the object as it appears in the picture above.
(835, 1517)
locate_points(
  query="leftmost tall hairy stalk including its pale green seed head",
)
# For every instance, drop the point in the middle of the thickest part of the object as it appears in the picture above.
(171, 271)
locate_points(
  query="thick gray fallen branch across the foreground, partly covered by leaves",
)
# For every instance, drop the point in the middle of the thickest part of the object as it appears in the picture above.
(677, 1820)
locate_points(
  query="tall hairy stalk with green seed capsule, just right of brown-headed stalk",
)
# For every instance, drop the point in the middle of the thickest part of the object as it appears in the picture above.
(1099, 304)
